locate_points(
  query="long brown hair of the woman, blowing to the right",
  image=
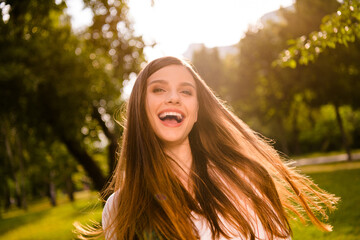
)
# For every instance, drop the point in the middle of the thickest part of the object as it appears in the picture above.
(234, 172)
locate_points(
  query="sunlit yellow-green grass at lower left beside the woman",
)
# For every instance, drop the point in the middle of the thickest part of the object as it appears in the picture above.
(42, 221)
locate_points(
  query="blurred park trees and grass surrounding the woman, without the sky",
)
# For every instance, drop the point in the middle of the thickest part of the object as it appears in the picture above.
(294, 78)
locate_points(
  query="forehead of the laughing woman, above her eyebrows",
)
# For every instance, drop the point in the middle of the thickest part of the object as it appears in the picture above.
(172, 74)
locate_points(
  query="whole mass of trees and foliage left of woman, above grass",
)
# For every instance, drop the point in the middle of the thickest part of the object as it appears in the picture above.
(58, 92)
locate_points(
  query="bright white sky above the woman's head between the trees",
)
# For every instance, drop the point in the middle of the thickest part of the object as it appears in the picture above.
(175, 24)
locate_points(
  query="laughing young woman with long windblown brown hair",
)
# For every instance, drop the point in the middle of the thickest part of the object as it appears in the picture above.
(190, 169)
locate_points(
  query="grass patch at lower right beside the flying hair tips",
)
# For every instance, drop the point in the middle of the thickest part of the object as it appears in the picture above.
(346, 219)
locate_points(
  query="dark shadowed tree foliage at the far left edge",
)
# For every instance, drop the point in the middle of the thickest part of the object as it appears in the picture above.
(46, 80)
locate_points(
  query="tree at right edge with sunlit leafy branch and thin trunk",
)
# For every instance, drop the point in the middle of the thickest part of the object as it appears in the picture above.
(334, 52)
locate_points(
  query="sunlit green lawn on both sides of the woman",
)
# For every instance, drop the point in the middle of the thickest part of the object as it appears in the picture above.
(44, 222)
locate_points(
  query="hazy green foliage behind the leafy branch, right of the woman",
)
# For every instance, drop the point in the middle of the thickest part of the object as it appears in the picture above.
(284, 103)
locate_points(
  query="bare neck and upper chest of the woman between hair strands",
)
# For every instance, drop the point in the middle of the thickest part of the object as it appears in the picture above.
(181, 154)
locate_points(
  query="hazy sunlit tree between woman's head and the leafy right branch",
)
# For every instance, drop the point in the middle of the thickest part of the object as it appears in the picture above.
(268, 97)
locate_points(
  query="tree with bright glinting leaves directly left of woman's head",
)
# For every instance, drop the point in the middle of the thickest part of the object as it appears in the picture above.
(114, 47)
